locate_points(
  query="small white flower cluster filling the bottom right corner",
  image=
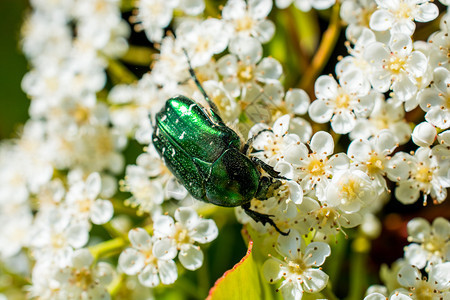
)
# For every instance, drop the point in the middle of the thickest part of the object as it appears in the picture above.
(429, 252)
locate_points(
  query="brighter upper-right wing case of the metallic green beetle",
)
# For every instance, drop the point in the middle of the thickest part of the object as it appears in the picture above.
(199, 134)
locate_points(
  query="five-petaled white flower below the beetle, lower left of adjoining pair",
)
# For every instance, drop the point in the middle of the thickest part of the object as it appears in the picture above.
(151, 260)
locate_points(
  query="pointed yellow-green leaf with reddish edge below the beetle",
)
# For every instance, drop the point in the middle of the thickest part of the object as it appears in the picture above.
(243, 281)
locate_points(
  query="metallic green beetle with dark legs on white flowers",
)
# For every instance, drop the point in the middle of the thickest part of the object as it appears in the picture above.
(209, 158)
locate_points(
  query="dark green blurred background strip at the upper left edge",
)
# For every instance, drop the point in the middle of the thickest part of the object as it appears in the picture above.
(13, 102)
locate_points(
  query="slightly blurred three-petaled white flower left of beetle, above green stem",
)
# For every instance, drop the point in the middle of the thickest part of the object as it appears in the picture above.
(82, 199)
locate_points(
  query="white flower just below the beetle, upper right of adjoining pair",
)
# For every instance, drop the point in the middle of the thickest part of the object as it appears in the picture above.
(188, 229)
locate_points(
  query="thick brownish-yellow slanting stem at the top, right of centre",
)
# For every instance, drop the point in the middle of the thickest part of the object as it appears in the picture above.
(323, 53)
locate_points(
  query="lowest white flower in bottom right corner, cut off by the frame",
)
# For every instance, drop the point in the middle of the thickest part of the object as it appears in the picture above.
(435, 287)
